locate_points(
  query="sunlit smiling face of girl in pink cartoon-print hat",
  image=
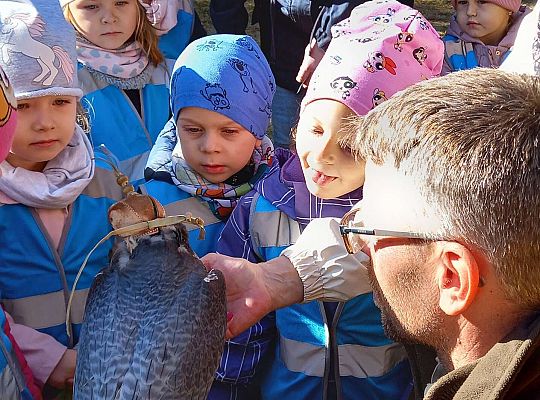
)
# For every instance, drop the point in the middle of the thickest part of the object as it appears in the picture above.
(330, 171)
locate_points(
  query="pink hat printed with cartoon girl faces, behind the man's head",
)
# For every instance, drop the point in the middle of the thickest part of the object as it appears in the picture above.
(381, 49)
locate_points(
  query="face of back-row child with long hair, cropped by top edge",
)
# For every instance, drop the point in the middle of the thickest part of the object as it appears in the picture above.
(108, 24)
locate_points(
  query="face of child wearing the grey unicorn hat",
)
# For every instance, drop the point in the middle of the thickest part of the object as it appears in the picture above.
(45, 126)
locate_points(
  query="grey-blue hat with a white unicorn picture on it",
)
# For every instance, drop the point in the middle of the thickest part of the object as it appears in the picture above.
(38, 49)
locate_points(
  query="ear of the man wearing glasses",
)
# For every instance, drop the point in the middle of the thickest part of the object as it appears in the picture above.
(457, 278)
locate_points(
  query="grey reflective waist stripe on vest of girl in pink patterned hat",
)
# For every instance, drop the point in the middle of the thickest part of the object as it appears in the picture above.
(354, 360)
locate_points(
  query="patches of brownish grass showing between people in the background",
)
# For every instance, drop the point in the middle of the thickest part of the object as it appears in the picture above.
(438, 12)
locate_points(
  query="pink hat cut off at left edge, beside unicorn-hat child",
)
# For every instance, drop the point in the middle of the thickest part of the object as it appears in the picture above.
(8, 115)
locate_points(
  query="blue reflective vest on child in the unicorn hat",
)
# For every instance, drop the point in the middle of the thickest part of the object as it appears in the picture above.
(36, 277)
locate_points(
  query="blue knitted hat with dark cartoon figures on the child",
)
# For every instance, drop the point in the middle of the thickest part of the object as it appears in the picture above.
(227, 74)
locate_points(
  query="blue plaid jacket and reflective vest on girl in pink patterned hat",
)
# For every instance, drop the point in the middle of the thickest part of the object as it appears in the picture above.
(324, 350)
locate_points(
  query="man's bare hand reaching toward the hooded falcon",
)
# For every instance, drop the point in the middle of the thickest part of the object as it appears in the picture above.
(253, 290)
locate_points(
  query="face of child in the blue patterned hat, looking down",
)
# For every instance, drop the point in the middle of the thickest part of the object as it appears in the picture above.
(213, 145)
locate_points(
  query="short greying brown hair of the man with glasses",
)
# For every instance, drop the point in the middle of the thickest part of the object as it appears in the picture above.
(471, 143)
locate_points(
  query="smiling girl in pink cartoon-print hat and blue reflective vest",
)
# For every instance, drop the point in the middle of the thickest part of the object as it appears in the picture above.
(329, 350)
